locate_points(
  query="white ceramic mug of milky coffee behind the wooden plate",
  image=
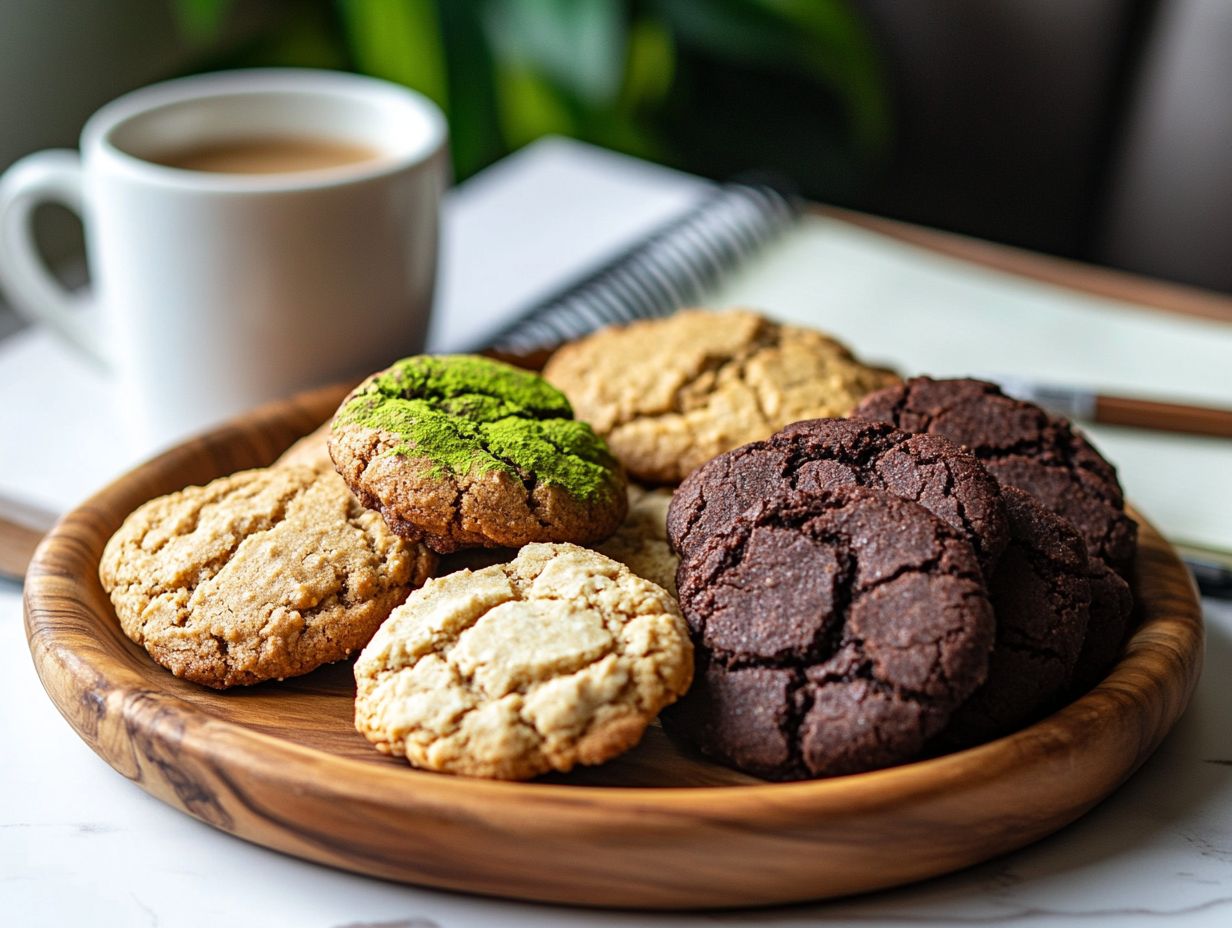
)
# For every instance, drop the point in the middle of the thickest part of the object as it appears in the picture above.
(219, 291)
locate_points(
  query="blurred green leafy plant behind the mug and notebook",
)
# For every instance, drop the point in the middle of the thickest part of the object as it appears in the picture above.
(714, 87)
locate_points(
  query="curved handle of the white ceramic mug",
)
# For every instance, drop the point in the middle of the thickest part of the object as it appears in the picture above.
(44, 177)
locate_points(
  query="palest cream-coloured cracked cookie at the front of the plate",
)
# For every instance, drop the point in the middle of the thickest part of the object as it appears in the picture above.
(561, 657)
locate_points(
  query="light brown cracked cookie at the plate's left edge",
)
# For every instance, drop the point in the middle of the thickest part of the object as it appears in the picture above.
(259, 576)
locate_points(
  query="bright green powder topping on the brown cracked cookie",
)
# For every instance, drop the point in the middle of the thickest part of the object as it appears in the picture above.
(465, 413)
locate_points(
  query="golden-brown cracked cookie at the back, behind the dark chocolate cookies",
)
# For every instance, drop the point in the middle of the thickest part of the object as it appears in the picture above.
(672, 394)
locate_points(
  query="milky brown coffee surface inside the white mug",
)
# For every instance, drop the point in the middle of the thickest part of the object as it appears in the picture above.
(268, 156)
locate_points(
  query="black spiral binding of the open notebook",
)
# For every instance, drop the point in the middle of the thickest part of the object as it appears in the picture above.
(677, 267)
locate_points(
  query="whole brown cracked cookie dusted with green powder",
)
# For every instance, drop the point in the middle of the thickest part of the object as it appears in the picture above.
(461, 452)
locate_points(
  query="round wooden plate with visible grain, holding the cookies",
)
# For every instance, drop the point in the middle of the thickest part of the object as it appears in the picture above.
(282, 766)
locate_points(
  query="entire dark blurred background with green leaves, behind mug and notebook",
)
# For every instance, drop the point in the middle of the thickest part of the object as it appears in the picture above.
(1096, 130)
